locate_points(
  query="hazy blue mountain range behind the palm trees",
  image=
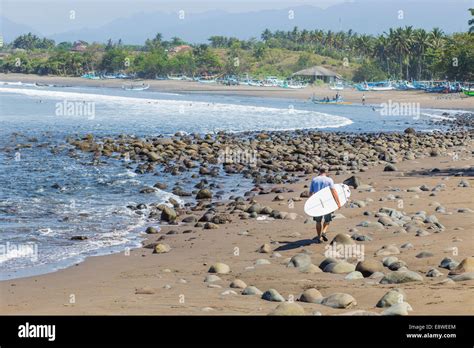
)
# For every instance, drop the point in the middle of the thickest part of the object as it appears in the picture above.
(362, 16)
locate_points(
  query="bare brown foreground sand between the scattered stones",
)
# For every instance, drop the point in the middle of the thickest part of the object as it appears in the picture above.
(146, 283)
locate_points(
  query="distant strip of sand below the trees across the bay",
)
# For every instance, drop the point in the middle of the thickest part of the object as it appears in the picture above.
(425, 100)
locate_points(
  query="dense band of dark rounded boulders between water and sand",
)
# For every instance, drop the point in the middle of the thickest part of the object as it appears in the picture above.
(268, 158)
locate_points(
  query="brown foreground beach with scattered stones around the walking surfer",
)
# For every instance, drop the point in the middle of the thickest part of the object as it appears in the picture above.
(258, 252)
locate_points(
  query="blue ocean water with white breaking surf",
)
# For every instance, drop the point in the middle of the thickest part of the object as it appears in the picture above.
(46, 198)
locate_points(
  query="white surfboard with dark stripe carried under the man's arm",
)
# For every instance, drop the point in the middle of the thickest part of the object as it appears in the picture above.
(322, 202)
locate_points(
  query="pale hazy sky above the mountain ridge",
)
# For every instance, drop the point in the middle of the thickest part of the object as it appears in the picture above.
(54, 16)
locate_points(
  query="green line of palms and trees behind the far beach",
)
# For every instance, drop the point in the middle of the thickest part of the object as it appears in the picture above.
(400, 53)
